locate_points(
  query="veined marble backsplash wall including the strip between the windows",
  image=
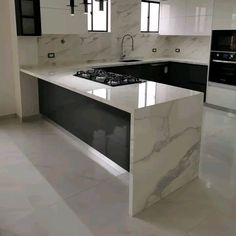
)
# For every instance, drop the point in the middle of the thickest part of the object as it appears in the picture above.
(125, 18)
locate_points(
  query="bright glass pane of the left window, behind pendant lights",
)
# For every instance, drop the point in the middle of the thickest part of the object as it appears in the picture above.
(99, 17)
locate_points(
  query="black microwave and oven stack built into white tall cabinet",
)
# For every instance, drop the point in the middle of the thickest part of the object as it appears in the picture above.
(223, 57)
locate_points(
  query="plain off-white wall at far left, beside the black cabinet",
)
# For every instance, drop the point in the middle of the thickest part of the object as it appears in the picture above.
(7, 61)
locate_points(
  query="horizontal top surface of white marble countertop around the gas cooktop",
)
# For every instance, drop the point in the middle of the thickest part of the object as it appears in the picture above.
(127, 97)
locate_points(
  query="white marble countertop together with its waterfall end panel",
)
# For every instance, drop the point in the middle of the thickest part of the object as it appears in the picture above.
(165, 127)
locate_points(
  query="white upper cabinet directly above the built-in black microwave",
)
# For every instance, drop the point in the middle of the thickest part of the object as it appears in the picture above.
(224, 16)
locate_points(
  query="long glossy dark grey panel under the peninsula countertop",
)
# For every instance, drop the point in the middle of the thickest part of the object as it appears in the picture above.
(103, 127)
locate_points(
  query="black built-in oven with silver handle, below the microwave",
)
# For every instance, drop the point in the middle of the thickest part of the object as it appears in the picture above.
(223, 68)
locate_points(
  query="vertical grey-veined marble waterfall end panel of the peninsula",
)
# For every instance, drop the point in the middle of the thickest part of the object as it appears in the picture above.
(165, 153)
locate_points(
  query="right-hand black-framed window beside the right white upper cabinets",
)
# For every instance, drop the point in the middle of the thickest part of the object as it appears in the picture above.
(150, 14)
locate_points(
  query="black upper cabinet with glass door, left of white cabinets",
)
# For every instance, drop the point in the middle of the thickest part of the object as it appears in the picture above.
(28, 19)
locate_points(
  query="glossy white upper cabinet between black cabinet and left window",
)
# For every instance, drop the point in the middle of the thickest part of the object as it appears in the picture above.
(56, 18)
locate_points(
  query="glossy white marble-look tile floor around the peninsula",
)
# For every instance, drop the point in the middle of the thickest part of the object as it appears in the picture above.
(49, 187)
